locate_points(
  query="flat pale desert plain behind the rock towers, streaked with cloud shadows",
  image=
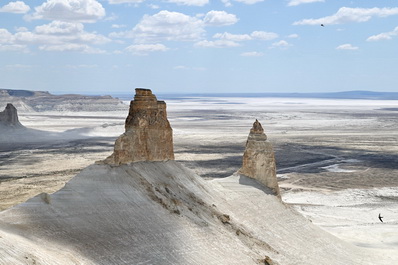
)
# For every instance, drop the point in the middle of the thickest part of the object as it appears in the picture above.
(337, 159)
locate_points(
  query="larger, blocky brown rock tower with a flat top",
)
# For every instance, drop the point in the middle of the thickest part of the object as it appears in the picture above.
(148, 135)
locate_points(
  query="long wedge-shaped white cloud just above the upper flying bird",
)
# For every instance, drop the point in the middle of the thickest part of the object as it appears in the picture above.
(347, 14)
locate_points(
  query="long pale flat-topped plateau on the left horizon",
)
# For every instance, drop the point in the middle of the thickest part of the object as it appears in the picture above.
(39, 101)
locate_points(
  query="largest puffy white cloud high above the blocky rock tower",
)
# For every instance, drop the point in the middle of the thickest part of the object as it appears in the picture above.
(166, 26)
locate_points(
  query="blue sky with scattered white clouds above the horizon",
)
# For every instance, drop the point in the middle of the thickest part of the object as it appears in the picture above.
(199, 46)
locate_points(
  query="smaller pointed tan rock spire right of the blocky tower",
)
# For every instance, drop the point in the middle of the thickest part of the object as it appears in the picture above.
(259, 159)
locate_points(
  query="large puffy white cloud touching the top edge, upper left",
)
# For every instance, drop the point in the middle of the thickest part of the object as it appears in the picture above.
(85, 11)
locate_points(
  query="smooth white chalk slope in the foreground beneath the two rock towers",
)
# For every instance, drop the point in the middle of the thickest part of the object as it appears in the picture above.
(162, 213)
